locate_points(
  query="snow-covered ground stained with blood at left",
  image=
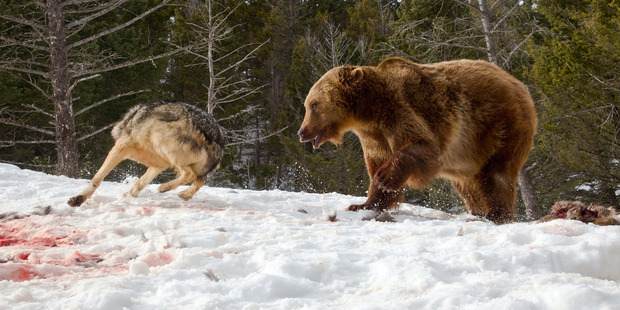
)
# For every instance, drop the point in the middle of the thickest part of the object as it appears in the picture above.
(241, 249)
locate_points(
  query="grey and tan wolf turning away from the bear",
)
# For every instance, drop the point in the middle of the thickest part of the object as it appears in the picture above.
(161, 136)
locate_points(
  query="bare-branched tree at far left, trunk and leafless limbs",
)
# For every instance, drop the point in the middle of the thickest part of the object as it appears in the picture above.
(55, 46)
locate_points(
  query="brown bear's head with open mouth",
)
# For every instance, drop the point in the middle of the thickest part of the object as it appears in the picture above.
(328, 107)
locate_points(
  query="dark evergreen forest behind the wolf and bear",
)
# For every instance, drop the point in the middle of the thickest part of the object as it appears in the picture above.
(69, 69)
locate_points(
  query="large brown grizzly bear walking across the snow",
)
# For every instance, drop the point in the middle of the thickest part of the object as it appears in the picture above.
(467, 121)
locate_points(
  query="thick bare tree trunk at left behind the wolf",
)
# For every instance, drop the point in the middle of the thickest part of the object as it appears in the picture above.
(66, 141)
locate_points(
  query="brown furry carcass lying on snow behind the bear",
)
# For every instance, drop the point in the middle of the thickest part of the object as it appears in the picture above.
(577, 210)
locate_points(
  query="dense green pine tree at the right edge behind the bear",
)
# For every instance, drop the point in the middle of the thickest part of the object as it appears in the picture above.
(576, 65)
